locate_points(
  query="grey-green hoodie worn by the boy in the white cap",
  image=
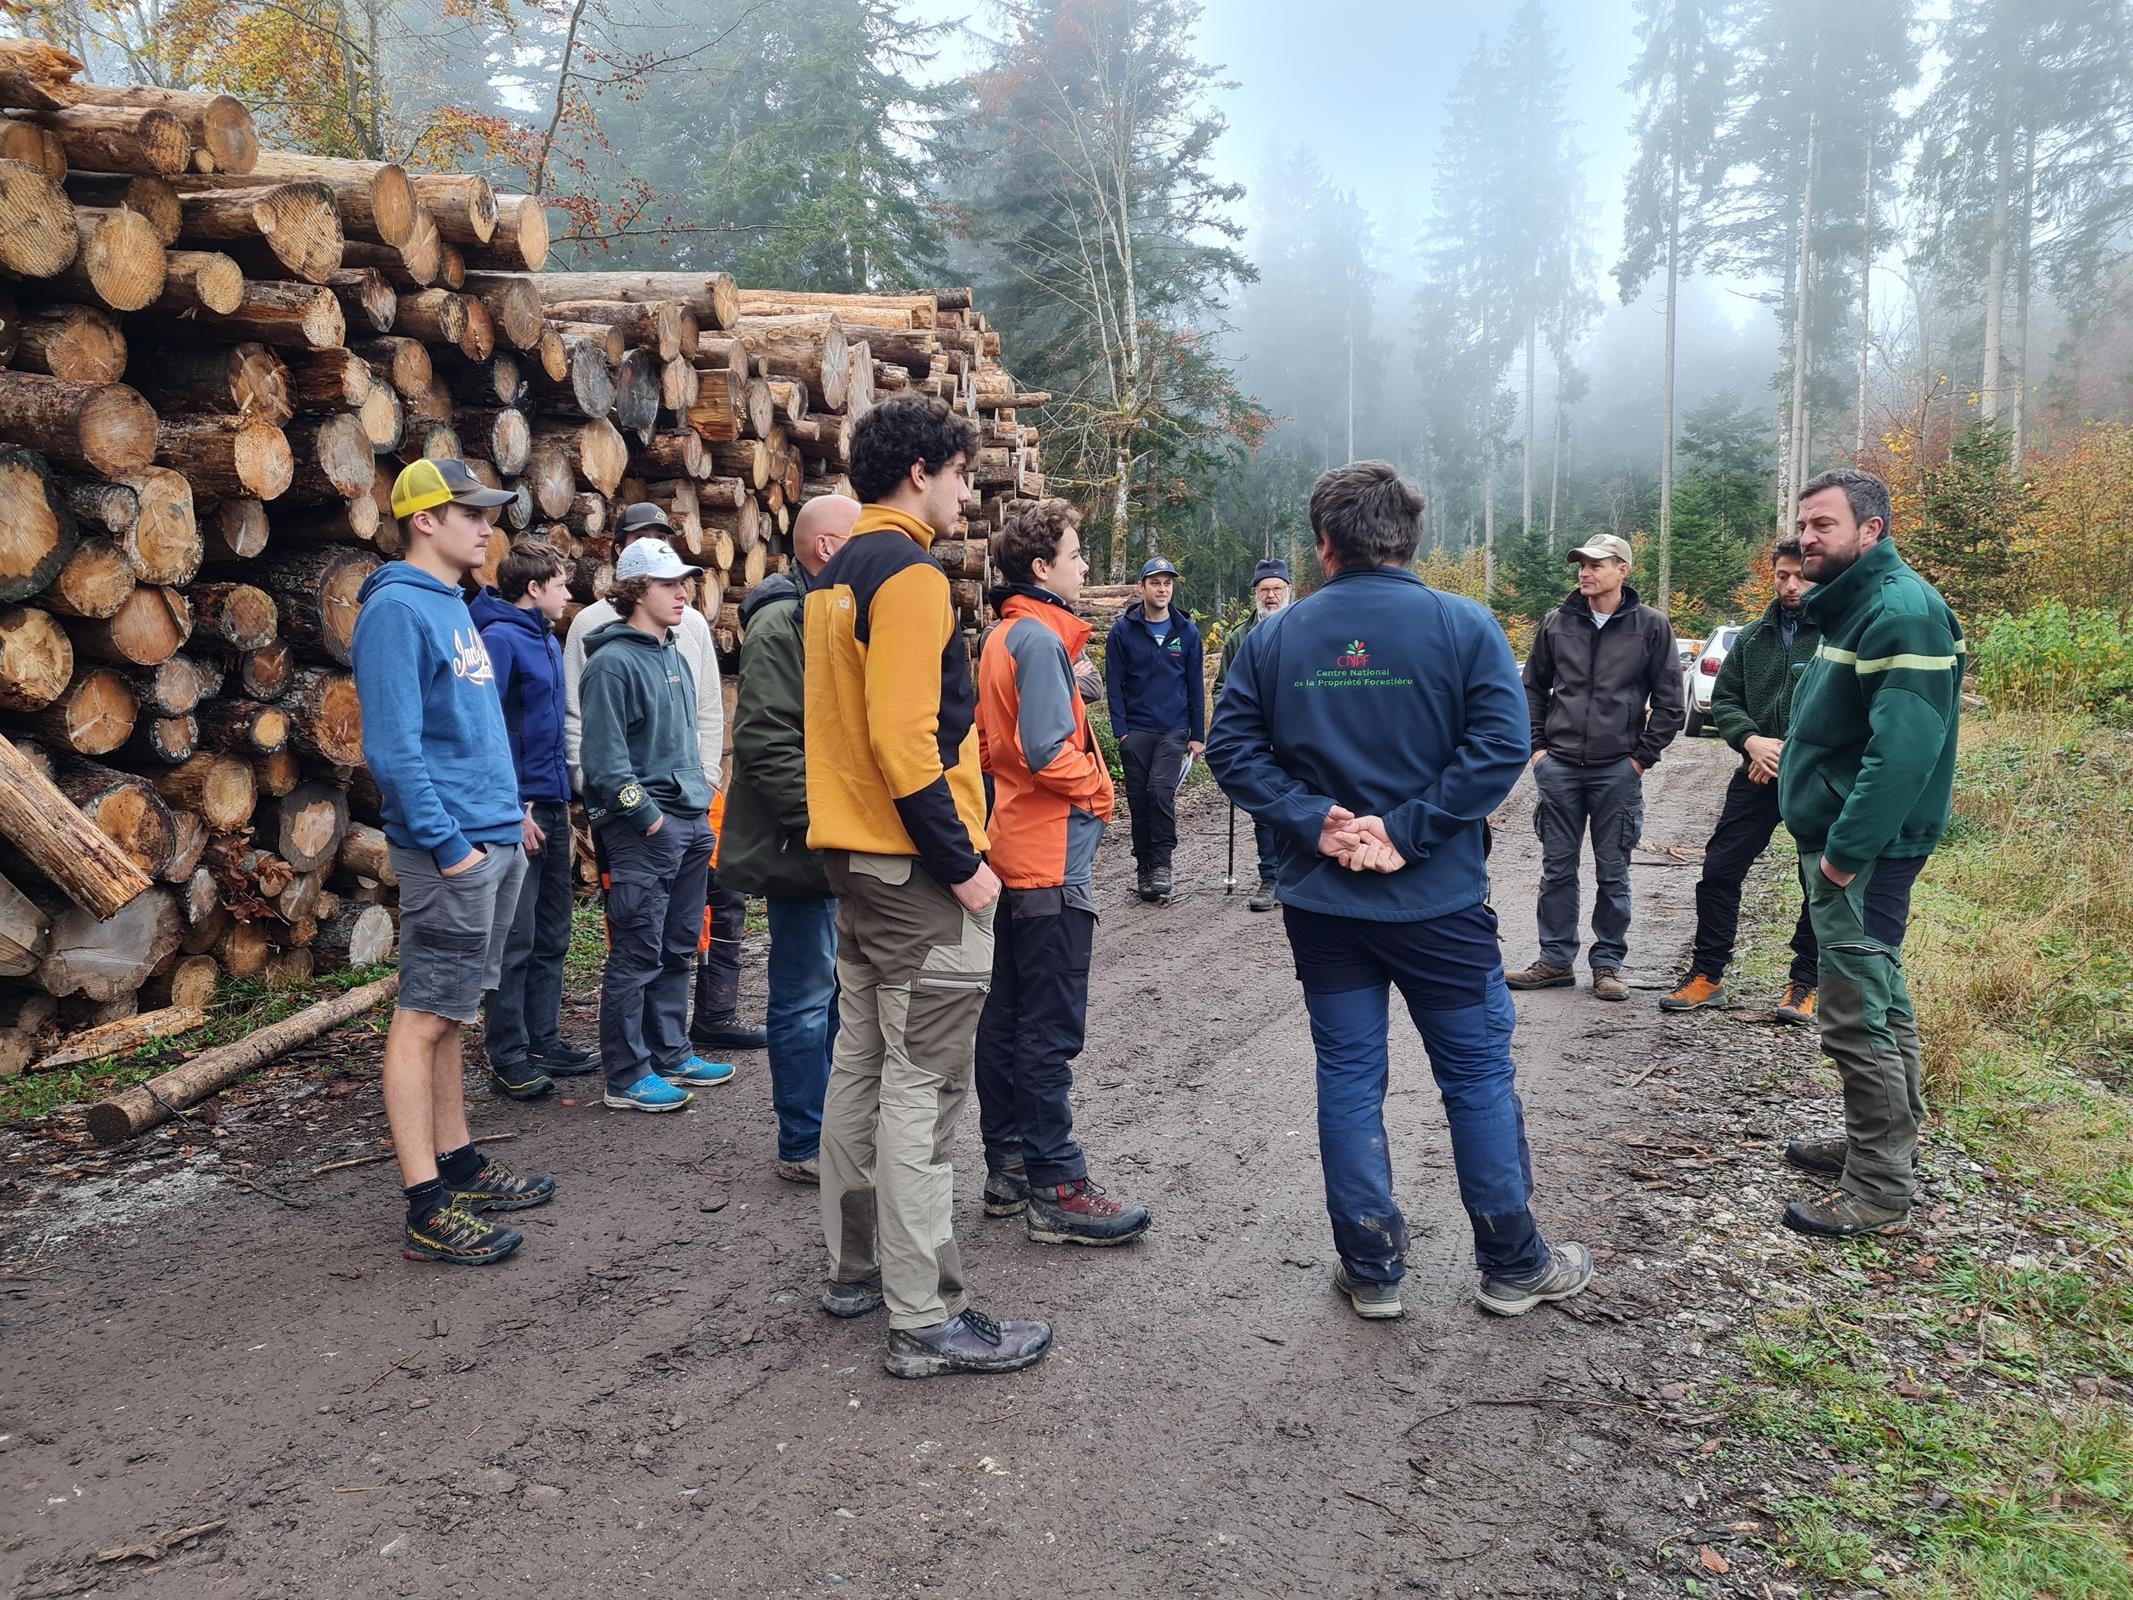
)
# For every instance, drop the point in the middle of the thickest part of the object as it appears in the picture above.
(639, 731)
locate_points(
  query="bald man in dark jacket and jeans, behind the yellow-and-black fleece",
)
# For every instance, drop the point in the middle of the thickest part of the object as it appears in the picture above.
(765, 848)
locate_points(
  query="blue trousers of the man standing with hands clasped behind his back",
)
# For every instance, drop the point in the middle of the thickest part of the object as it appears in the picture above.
(1452, 976)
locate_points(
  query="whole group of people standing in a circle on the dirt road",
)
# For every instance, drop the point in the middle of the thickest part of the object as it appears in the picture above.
(925, 842)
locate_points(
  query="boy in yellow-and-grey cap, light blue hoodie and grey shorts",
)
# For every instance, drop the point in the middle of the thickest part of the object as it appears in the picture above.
(434, 741)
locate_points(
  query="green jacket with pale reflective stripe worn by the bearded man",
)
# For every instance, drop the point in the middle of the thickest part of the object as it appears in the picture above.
(1872, 756)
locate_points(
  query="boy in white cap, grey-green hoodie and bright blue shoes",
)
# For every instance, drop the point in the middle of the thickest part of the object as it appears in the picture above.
(649, 797)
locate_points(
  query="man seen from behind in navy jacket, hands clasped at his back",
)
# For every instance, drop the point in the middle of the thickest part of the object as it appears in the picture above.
(1375, 726)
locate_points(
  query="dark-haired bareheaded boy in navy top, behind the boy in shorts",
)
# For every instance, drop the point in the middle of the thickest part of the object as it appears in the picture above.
(524, 1017)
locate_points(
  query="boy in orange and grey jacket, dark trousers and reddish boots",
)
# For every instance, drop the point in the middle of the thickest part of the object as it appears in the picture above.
(1053, 799)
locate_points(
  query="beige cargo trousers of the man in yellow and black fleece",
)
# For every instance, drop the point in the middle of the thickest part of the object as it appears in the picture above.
(912, 970)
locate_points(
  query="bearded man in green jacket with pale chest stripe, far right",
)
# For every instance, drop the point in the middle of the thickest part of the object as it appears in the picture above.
(1865, 786)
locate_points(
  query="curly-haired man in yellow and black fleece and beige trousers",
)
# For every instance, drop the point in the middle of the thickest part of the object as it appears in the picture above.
(897, 807)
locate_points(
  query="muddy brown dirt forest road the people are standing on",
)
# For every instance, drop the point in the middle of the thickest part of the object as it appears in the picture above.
(647, 1398)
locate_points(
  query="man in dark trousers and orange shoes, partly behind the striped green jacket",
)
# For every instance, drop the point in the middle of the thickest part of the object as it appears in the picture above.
(1750, 705)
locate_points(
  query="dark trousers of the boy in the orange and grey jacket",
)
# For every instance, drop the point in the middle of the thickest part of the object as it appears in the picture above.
(1031, 1031)
